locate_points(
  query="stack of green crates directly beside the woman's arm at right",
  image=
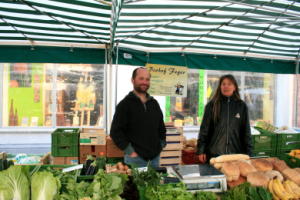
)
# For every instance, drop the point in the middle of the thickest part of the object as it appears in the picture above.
(264, 144)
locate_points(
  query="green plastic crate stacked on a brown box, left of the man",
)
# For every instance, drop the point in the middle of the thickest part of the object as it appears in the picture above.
(64, 146)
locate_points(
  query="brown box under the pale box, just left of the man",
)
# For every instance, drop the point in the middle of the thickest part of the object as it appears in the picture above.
(93, 150)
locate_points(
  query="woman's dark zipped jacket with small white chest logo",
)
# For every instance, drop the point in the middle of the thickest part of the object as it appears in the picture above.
(231, 134)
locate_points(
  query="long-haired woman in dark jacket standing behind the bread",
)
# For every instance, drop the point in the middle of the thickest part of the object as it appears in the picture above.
(225, 128)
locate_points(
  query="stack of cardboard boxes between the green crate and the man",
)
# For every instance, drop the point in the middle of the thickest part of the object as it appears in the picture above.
(92, 142)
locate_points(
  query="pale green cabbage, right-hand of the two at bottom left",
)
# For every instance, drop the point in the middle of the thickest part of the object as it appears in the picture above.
(44, 186)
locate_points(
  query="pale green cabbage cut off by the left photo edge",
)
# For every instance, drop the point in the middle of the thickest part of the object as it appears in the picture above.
(14, 184)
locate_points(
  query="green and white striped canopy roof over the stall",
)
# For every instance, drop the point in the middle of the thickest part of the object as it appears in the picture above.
(265, 29)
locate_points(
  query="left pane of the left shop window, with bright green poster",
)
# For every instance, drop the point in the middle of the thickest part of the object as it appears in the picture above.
(23, 92)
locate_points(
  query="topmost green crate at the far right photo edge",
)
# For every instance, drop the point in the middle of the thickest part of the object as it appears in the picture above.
(288, 141)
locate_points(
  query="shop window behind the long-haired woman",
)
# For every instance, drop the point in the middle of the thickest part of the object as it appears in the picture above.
(257, 89)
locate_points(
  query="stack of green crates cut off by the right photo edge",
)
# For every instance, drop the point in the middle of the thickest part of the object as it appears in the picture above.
(287, 142)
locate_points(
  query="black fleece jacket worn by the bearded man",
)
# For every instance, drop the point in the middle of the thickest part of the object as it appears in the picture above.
(139, 125)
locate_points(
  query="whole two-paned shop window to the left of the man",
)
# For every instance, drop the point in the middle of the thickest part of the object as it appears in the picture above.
(47, 95)
